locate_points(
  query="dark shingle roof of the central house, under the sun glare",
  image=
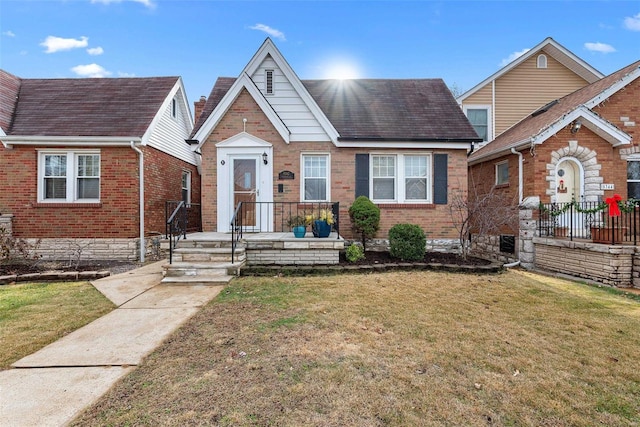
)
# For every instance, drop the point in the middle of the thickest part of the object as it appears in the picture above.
(379, 109)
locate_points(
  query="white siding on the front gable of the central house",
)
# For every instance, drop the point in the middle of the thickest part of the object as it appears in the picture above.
(289, 105)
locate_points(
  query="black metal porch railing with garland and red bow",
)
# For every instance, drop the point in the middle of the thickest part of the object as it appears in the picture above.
(590, 221)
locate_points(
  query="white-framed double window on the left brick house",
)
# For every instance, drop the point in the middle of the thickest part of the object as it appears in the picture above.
(69, 176)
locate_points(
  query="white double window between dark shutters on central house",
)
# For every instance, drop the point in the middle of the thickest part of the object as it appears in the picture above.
(401, 178)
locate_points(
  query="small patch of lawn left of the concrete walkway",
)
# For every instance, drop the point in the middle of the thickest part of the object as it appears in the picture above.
(33, 315)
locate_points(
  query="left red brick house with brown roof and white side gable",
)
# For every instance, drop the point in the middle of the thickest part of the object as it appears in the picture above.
(79, 156)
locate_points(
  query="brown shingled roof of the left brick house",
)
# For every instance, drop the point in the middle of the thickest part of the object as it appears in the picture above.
(92, 107)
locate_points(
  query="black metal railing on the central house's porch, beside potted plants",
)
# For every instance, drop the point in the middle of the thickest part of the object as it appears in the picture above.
(274, 217)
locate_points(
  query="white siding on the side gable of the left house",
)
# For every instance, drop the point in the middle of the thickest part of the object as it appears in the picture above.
(169, 133)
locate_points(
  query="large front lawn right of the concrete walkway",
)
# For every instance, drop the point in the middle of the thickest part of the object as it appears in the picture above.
(420, 348)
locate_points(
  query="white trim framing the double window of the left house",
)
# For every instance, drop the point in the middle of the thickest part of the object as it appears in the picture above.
(72, 166)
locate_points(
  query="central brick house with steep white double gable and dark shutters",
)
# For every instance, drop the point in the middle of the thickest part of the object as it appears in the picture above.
(402, 143)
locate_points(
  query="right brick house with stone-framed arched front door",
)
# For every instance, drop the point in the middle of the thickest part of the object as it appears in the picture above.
(582, 147)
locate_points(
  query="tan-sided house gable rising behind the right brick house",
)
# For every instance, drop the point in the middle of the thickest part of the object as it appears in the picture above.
(546, 72)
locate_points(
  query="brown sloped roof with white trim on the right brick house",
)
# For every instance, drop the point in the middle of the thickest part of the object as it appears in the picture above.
(549, 119)
